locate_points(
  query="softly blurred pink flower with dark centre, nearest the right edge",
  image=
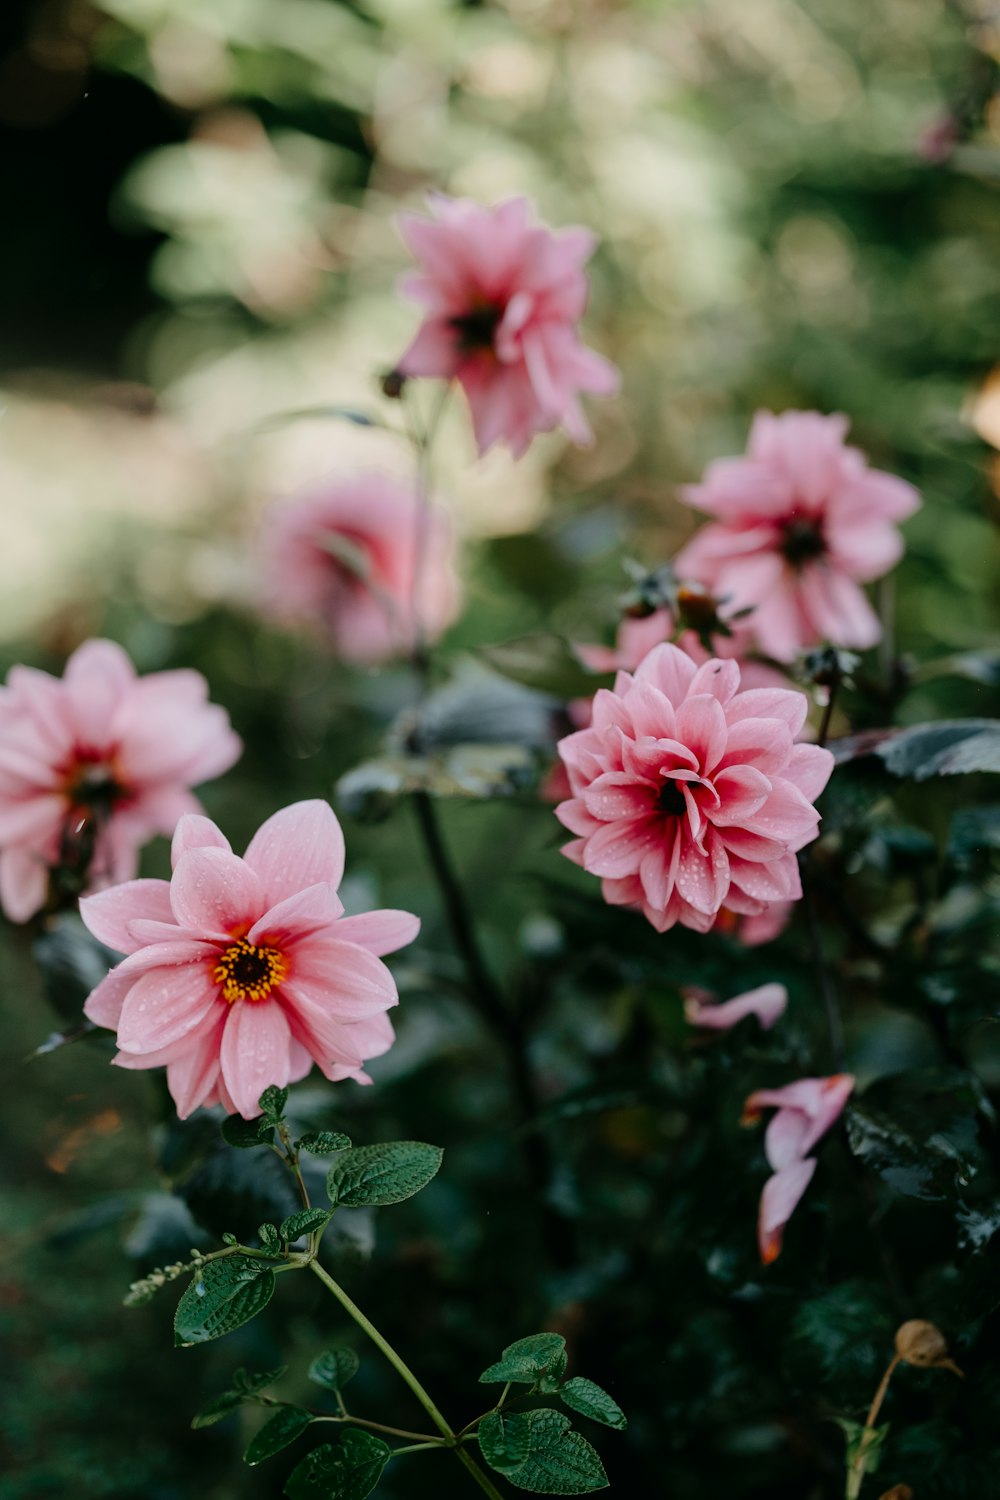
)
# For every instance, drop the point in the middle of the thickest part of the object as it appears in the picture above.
(800, 523)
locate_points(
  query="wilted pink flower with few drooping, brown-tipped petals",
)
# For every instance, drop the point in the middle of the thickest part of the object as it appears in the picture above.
(806, 1112)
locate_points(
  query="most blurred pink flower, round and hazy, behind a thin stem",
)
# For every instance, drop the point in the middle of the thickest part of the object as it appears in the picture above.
(346, 556)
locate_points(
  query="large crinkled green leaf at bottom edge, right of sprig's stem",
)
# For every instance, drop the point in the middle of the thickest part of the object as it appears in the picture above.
(558, 1462)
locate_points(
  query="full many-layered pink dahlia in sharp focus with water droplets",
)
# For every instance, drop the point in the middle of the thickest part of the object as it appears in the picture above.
(689, 794)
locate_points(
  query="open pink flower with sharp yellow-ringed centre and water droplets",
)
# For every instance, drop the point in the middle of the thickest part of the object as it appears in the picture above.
(241, 974)
